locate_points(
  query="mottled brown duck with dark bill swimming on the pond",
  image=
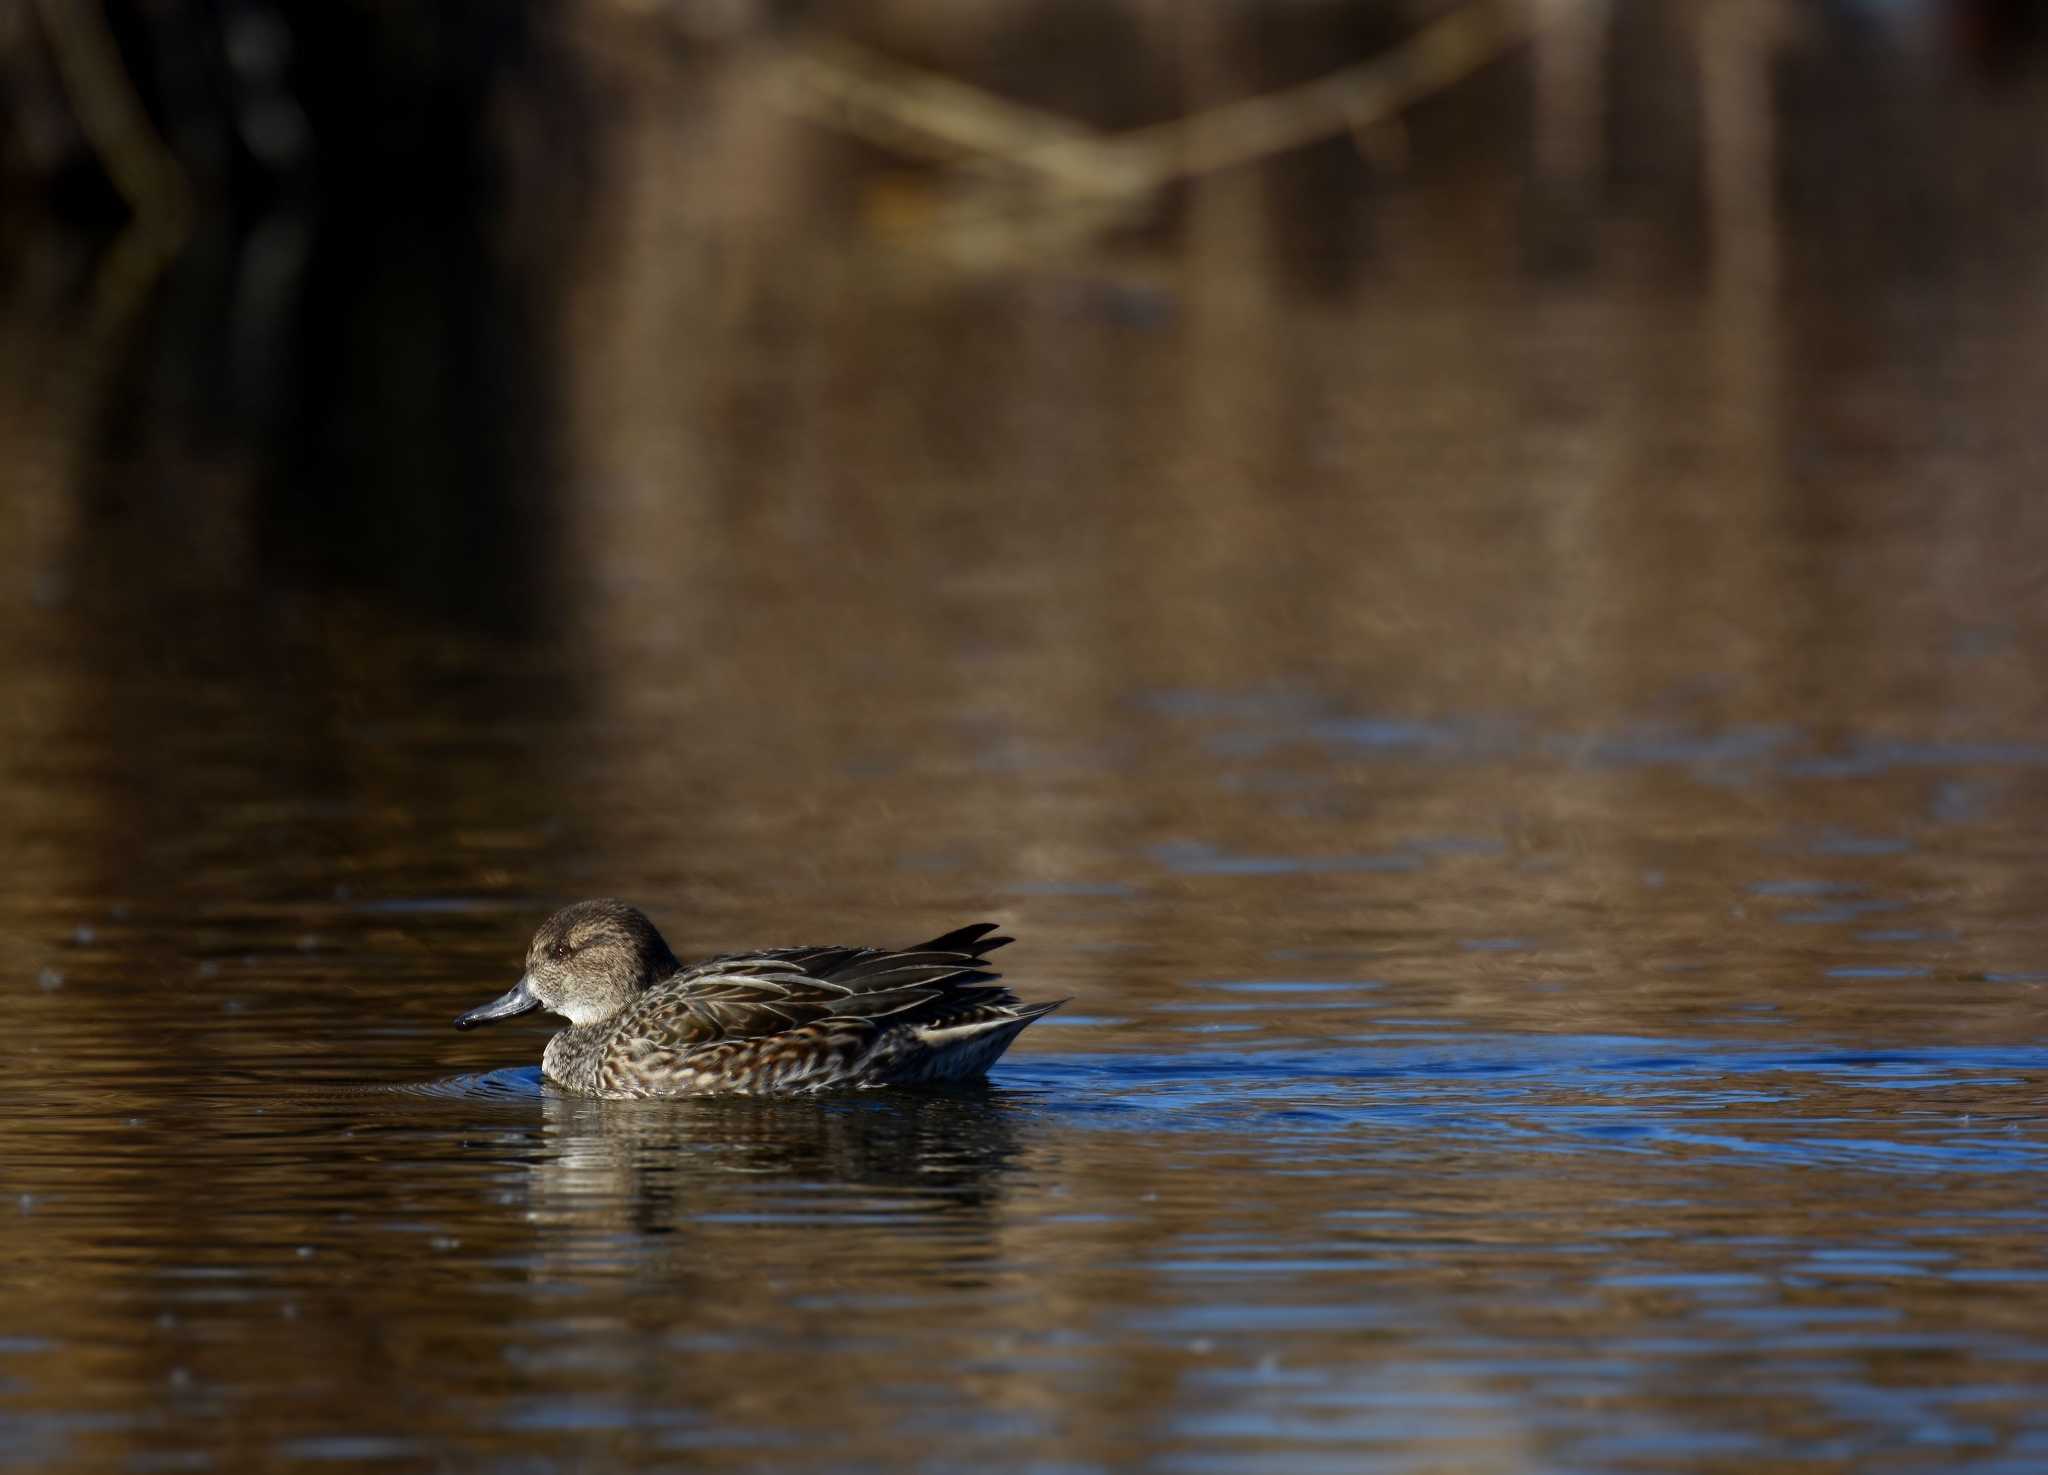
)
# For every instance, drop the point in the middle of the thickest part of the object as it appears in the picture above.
(771, 1023)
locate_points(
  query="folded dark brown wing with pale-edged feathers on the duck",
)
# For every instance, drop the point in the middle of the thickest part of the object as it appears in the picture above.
(847, 991)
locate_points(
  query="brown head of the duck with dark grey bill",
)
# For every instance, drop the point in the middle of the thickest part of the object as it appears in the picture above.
(587, 964)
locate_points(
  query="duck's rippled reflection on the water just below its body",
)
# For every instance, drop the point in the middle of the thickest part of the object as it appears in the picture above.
(656, 1179)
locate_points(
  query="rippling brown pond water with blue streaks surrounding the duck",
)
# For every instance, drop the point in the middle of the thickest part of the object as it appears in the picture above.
(1535, 786)
